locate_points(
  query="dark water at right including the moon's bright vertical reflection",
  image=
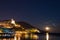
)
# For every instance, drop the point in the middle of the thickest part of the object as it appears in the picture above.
(48, 37)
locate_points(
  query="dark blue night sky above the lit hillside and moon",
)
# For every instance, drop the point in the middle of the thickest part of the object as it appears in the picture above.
(39, 13)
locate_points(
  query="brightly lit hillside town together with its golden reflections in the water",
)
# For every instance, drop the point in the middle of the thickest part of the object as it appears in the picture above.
(11, 30)
